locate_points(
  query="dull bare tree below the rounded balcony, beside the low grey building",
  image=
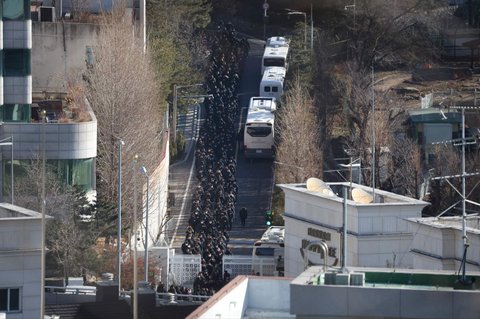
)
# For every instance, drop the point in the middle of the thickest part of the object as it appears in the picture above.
(70, 240)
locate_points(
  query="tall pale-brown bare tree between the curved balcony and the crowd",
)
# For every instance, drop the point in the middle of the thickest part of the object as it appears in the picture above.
(122, 88)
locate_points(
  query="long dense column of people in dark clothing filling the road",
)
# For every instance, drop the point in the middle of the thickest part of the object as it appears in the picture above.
(213, 204)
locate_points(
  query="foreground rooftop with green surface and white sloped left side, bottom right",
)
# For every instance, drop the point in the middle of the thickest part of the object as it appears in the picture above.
(364, 292)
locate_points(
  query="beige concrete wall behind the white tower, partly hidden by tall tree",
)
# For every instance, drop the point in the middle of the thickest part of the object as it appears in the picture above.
(59, 52)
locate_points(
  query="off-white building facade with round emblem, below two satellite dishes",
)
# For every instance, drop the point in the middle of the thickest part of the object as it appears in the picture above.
(377, 232)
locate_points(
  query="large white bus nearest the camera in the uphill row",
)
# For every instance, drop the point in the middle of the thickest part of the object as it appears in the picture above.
(258, 136)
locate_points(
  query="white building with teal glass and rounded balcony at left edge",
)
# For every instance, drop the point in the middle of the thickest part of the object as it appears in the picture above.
(70, 146)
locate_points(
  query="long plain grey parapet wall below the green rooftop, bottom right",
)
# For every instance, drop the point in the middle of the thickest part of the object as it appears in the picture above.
(361, 302)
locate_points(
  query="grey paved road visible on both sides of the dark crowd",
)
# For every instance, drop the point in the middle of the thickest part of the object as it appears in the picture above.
(254, 177)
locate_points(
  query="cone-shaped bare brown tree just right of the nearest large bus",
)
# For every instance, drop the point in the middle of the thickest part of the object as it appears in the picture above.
(299, 146)
